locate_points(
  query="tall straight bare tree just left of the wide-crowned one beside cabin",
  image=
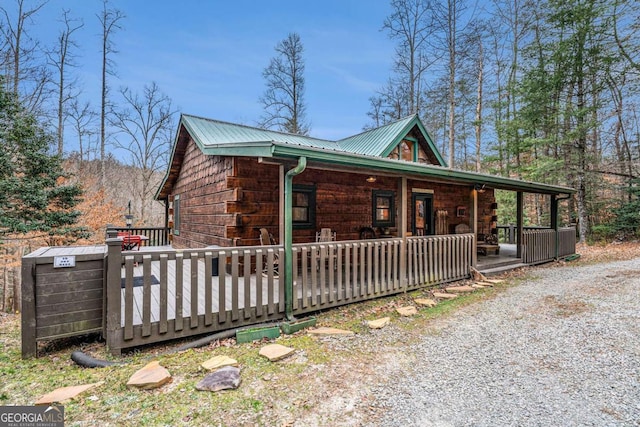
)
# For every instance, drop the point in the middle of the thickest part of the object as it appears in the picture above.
(110, 21)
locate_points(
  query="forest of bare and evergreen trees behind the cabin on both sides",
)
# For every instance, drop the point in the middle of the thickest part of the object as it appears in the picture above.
(542, 91)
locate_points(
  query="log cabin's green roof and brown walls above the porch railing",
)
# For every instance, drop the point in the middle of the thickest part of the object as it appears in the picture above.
(227, 181)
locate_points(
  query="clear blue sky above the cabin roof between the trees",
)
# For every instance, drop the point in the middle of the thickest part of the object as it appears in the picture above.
(208, 56)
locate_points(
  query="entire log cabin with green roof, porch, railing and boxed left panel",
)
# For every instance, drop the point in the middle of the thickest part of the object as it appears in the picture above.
(397, 219)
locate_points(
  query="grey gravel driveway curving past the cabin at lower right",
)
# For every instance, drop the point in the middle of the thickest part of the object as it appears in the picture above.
(561, 349)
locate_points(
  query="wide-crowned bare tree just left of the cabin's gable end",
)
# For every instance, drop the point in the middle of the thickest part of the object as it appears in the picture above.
(145, 128)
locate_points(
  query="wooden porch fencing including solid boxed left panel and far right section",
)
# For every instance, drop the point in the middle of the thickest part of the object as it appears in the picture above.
(158, 294)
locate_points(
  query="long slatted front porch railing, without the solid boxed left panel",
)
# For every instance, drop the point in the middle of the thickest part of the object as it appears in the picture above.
(154, 296)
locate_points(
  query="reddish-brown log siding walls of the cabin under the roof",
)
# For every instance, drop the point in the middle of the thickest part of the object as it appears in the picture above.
(224, 201)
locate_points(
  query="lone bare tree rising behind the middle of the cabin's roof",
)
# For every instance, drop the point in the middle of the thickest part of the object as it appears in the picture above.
(283, 100)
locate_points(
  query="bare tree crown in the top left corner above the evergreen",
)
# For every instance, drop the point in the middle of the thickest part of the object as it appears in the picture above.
(28, 77)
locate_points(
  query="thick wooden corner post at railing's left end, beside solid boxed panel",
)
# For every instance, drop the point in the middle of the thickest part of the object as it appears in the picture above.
(112, 294)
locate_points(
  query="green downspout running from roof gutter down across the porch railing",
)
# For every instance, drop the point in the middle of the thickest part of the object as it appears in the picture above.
(288, 235)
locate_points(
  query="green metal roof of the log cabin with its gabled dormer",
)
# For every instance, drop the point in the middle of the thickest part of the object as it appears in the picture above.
(366, 151)
